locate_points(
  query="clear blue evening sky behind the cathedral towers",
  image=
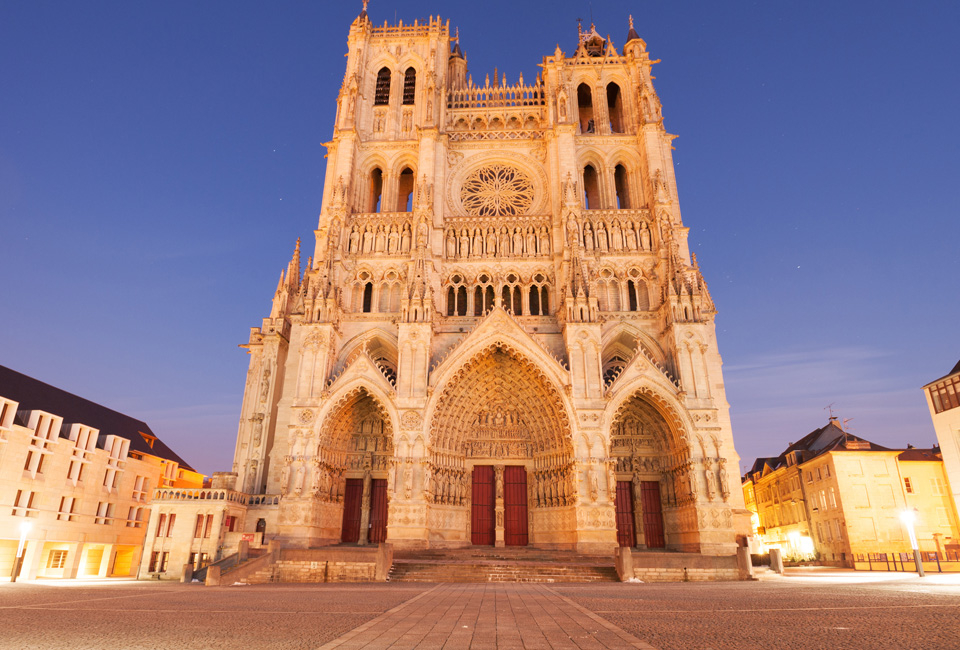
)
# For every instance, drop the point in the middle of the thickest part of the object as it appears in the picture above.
(159, 159)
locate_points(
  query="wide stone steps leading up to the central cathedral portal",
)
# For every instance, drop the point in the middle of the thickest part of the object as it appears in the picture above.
(500, 565)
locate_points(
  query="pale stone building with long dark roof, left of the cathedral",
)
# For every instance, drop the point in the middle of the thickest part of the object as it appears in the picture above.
(75, 482)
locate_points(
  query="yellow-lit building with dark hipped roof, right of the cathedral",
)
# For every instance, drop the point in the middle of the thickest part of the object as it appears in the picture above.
(834, 496)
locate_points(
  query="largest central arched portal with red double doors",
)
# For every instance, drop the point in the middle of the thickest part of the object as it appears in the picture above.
(500, 453)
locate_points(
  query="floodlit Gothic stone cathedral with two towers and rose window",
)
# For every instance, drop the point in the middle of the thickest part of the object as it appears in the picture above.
(501, 337)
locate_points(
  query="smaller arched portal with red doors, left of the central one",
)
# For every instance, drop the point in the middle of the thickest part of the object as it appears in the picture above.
(351, 467)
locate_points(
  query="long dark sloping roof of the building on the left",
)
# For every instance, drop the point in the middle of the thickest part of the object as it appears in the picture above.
(34, 395)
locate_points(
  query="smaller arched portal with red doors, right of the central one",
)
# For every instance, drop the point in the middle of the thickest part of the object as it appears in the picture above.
(651, 464)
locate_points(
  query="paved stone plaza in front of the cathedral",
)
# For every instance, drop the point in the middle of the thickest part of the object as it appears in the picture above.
(807, 609)
